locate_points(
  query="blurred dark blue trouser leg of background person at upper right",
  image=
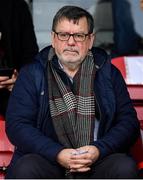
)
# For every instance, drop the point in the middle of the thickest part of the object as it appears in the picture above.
(126, 39)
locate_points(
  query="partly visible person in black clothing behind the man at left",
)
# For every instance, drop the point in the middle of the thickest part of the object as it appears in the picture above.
(18, 43)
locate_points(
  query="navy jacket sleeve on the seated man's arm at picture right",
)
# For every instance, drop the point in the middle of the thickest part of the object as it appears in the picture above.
(124, 128)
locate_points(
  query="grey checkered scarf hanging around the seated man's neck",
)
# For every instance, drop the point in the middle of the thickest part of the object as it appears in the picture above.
(72, 112)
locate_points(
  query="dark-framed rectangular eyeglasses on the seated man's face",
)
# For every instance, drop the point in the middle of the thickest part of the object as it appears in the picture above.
(78, 37)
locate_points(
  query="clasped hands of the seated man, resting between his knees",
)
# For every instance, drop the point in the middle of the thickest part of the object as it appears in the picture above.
(78, 160)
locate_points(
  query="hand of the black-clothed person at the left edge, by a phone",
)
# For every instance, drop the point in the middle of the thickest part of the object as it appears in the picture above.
(8, 83)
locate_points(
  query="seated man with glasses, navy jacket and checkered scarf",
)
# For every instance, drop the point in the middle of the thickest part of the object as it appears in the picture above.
(70, 114)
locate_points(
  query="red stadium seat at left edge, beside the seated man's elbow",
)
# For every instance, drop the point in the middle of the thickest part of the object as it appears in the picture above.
(6, 149)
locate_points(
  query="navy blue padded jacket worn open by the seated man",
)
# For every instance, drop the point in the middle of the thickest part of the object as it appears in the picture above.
(30, 127)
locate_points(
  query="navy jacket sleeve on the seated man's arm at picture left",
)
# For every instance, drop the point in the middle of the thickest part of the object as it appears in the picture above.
(21, 119)
